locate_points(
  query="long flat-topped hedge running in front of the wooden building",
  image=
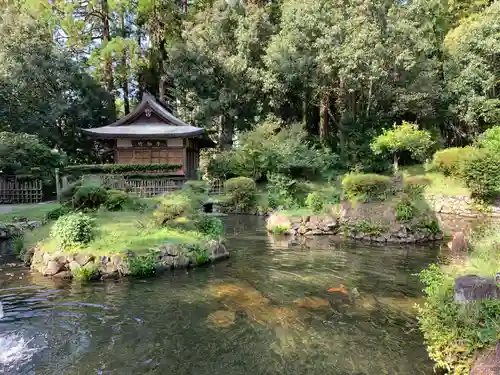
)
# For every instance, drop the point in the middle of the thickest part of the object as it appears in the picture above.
(119, 168)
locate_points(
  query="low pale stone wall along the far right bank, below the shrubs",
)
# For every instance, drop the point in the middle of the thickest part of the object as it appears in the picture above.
(460, 206)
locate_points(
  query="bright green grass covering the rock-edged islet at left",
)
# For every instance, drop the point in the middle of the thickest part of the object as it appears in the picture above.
(118, 232)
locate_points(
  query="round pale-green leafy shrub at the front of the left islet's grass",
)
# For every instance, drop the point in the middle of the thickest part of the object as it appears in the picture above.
(73, 230)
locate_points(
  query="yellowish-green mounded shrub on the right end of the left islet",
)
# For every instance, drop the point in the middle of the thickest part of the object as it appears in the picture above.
(173, 206)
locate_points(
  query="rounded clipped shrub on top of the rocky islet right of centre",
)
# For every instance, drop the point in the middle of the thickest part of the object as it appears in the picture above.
(366, 186)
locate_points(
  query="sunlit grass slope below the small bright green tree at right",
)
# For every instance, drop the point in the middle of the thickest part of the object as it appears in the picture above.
(440, 184)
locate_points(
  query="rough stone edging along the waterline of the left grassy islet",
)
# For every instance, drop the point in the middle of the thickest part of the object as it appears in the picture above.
(63, 265)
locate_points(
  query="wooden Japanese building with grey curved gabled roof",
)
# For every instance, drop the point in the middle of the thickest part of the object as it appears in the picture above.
(150, 134)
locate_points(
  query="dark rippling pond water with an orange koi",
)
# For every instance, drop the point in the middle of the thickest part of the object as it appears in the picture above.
(267, 310)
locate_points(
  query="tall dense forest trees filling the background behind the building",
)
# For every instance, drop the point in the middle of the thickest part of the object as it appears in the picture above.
(343, 70)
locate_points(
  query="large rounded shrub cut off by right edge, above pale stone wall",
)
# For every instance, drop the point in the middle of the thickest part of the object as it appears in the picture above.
(481, 173)
